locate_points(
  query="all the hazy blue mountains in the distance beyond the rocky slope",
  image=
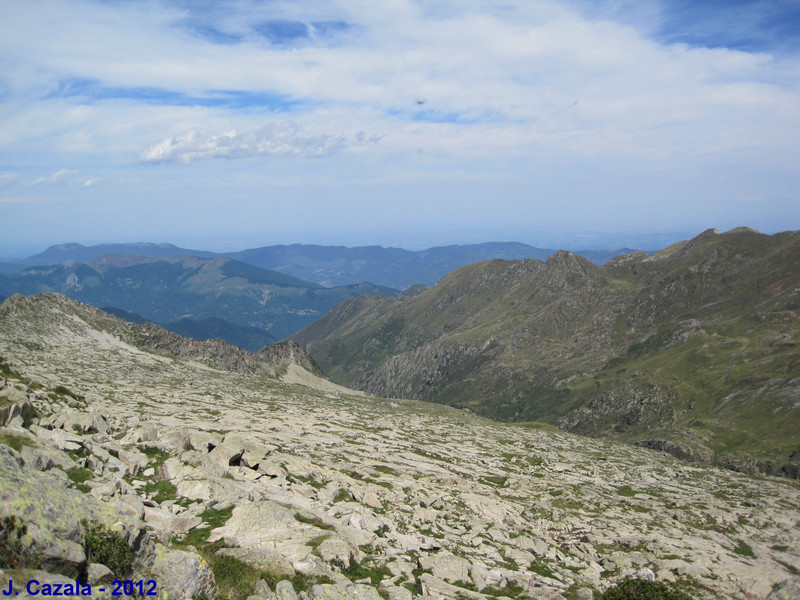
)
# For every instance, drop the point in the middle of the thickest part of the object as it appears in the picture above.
(250, 298)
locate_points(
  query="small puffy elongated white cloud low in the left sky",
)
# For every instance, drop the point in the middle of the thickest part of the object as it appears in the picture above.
(281, 139)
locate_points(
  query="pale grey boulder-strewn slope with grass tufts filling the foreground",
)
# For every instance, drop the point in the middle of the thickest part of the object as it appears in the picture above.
(232, 476)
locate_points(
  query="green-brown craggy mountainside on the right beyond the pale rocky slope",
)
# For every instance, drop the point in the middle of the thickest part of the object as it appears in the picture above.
(694, 347)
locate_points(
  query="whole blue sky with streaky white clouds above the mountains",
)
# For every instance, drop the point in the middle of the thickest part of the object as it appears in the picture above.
(228, 125)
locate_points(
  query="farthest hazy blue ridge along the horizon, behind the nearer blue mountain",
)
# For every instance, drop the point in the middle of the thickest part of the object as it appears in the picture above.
(330, 266)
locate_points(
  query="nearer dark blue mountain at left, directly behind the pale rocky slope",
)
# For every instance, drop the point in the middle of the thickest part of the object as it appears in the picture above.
(204, 297)
